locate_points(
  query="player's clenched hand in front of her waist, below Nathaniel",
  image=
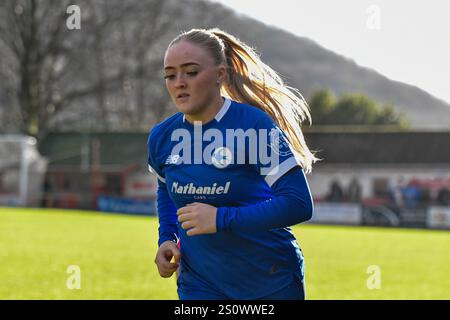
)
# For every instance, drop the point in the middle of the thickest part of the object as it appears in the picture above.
(198, 218)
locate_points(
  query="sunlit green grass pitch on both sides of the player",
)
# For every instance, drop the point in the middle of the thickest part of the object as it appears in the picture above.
(115, 255)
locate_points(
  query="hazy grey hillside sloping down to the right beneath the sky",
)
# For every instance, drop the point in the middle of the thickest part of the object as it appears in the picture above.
(308, 66)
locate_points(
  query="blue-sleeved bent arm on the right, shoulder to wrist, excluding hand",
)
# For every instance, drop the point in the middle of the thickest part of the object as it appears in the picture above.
(291, 202)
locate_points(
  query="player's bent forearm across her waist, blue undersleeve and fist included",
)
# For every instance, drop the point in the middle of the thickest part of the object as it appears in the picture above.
(291, 204)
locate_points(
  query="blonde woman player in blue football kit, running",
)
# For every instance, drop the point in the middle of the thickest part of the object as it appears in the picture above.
(231, 170)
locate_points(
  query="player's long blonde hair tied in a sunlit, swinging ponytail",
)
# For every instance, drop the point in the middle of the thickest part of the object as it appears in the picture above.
(253, 82)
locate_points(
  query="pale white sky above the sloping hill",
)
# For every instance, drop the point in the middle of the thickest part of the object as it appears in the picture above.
(407, 41)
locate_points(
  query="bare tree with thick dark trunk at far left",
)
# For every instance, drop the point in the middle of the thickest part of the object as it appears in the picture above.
(35, 36)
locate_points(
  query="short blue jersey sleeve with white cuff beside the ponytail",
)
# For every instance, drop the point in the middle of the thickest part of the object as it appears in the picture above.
(275, 154)
